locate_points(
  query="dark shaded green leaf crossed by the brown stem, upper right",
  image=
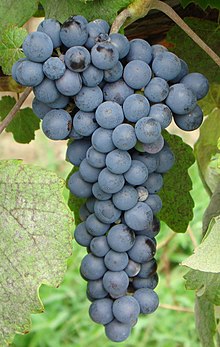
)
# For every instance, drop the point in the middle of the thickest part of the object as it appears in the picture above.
(188, 50)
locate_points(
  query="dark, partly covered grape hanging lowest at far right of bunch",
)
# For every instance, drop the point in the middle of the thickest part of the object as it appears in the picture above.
(190, 121)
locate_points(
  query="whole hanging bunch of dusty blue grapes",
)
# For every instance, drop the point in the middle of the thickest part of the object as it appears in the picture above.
(112, 98)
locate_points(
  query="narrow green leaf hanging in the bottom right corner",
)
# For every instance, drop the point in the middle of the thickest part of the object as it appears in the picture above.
(205, 321)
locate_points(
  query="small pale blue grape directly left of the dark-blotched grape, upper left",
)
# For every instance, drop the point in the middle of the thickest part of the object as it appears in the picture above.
(54, 68)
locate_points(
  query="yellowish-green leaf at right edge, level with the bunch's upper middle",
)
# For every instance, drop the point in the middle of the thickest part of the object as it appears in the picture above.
(206, 149)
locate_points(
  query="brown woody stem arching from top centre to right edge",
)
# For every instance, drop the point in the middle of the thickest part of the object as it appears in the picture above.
(140, 9)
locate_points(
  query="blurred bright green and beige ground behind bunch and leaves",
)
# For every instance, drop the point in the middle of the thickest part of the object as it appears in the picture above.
(66, 322)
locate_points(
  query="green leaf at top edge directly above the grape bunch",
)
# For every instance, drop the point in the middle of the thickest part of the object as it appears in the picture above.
(62, 9)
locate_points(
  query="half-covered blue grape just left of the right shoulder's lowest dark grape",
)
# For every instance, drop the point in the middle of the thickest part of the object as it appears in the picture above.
(162, 114)
